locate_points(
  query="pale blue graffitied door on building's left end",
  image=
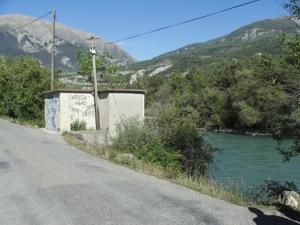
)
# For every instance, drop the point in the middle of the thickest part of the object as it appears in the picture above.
(52, 110)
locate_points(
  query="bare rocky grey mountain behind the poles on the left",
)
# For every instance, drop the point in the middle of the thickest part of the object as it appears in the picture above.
(35, 38)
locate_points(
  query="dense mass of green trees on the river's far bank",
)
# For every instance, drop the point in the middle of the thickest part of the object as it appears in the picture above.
(246, 94)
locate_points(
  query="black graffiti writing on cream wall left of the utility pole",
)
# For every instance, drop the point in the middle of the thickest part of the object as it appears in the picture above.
(81, 107)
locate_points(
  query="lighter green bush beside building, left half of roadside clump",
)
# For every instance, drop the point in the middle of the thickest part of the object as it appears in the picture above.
(141, 139)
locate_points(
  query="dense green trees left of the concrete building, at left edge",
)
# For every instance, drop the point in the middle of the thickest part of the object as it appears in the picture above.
(22, 81)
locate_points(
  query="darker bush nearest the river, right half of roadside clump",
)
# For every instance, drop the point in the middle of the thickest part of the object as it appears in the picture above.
(179, 131)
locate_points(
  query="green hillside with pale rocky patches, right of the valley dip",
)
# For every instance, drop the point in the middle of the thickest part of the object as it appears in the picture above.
(258, 37)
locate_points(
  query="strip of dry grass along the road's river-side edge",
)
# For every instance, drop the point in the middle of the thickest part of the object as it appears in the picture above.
(233, 191)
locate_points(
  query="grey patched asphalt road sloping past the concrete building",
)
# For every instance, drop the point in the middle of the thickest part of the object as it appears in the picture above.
(43, 180)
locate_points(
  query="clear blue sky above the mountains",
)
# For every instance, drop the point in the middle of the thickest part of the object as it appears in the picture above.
(118, 19)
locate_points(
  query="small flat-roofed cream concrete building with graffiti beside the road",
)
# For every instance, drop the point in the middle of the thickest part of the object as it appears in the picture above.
(65, 106)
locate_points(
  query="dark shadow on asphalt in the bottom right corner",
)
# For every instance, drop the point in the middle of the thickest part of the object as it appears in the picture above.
(263, 219)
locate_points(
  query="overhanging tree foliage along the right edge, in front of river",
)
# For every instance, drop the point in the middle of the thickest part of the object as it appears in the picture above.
(289, 122)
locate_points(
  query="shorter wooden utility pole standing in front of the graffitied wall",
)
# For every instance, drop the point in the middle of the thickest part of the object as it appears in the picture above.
(96, 98)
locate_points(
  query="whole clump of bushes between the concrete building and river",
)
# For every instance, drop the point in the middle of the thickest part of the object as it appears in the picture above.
(172, 142)
